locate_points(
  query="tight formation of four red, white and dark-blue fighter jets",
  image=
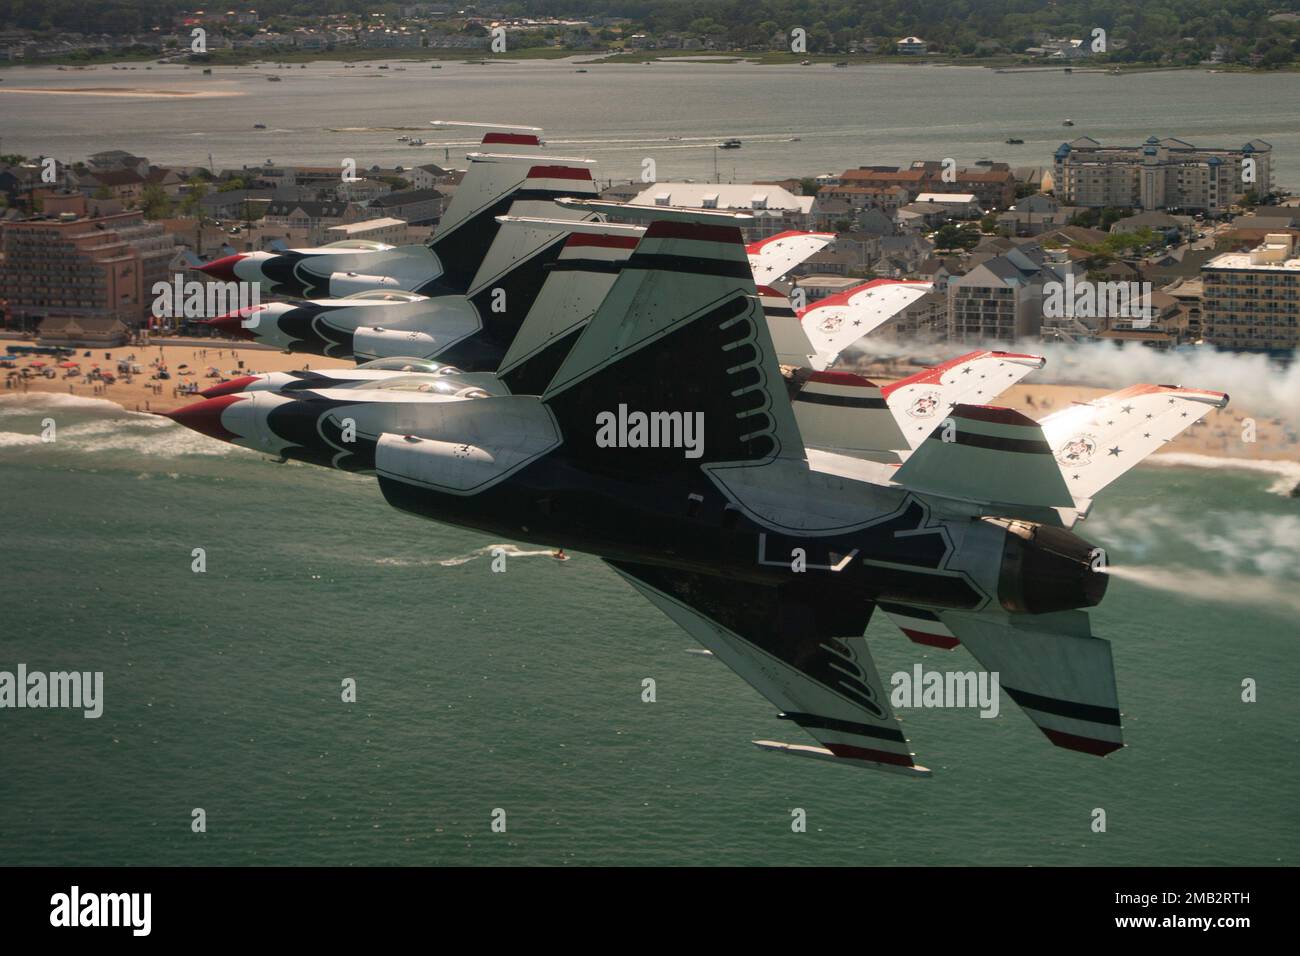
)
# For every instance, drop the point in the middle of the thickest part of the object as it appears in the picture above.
(647, 392)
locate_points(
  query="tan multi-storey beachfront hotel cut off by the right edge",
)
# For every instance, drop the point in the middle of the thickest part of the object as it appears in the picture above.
(1251, 301)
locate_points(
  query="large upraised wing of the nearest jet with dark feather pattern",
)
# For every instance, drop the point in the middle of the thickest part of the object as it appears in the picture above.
(681, 338)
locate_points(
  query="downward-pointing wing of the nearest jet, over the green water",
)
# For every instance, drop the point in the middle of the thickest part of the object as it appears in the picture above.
(799, 646)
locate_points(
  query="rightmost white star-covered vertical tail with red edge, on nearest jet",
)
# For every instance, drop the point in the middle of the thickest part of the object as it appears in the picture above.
(1098, 442)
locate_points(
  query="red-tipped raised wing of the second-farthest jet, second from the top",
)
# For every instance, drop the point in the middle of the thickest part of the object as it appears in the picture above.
(492, 188)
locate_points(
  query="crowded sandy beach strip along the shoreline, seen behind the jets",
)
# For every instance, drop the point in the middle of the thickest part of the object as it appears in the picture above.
(1219, 435)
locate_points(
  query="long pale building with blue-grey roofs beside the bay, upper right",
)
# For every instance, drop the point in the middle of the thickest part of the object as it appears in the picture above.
(1162, 175)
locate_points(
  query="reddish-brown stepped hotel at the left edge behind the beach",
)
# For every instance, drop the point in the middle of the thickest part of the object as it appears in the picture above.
(98, 272)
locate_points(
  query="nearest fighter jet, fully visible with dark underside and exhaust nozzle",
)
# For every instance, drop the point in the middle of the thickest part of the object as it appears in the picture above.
(668, 444)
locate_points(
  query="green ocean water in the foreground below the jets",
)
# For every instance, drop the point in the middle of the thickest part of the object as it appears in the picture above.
(522, 691)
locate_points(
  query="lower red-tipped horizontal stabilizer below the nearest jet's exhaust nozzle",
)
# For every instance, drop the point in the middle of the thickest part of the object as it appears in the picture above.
(1061, 677)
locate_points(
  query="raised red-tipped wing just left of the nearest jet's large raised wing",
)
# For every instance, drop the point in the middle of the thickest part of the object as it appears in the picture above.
(577, 283)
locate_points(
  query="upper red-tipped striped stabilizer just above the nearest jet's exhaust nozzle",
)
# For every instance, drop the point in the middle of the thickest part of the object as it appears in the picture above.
(987, 455)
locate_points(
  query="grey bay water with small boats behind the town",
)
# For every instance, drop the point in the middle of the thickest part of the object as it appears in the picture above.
(623, 115)
